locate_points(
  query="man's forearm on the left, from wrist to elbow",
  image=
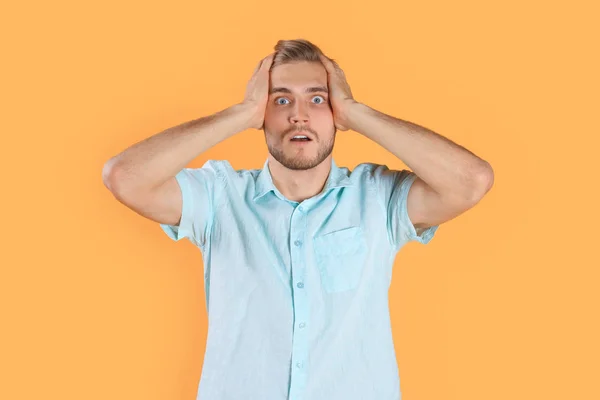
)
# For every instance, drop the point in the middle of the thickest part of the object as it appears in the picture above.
(151, 162)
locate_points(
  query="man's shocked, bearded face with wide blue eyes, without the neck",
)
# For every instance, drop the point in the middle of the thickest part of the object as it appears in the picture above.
(291, 110)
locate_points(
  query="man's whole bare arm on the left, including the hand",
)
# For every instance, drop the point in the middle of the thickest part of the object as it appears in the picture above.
(143, 176)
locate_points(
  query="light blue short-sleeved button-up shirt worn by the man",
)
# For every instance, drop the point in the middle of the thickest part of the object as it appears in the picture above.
(297, 292)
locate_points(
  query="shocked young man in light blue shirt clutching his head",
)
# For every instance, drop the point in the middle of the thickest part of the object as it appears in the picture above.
(298, 256)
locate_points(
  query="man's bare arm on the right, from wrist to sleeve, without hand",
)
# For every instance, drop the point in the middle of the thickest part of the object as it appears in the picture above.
(450, 179)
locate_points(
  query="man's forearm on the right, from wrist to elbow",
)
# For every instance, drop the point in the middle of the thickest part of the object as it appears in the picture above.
(444, 165)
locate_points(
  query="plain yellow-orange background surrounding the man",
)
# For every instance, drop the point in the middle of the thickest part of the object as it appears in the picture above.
(96, 302)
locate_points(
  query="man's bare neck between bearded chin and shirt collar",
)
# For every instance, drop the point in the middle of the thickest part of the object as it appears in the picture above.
(299, 185)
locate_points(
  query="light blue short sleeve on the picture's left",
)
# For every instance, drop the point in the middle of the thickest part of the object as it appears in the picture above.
(200, 188)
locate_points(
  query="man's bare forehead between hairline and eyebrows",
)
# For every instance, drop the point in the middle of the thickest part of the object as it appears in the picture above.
(297, 75)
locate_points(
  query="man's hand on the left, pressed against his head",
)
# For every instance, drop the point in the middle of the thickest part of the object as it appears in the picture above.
(257, 92)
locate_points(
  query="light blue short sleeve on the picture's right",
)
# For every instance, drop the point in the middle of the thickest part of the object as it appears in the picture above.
(391, 188)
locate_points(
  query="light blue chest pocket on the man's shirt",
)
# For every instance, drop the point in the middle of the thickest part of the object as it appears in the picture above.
(340, 256)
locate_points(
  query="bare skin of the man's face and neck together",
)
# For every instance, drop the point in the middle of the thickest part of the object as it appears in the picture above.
(299, 171)
